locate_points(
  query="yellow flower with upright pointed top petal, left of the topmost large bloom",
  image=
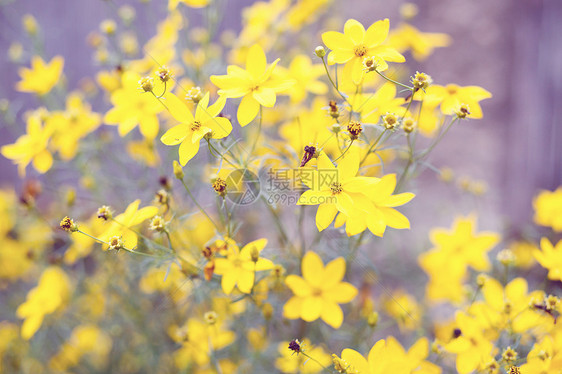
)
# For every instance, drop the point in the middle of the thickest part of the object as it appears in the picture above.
(254, 84)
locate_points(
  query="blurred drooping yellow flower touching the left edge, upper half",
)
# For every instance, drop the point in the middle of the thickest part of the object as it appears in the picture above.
(31, 147)
